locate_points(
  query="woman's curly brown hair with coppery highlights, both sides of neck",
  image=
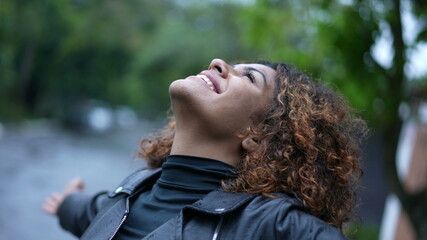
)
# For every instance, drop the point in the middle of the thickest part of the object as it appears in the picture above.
(308, 142)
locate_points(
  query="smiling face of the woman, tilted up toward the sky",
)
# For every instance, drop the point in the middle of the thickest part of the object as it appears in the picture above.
(224, 99)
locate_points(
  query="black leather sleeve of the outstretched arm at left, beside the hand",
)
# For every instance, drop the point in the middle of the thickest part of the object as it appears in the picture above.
(78, 210)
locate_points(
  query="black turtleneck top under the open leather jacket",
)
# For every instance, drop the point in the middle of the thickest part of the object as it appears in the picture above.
(183, 181)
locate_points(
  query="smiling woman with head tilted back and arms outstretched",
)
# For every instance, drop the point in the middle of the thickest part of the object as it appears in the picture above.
(255, 151)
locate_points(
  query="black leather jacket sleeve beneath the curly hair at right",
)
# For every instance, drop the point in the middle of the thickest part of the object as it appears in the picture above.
(297, 224)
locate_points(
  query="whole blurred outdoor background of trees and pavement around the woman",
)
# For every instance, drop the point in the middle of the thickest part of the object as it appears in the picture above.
(82, 81)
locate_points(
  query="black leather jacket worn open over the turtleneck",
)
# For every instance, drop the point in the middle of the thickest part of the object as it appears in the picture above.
(219, 215)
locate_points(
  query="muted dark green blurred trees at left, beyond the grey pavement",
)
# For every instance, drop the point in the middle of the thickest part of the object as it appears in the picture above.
(55, 54)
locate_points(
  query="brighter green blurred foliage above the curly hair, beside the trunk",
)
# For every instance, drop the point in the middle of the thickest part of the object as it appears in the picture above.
(332, 40)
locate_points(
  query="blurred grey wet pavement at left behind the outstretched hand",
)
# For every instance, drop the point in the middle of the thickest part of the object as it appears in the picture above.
(39, 158)
